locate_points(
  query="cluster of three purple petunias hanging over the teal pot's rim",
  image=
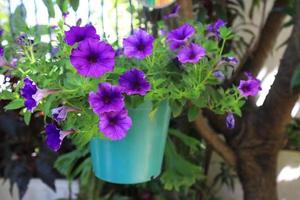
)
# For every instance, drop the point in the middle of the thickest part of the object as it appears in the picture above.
(109, 103)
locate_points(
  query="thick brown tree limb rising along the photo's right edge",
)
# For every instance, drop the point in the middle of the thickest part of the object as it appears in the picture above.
(281, 98)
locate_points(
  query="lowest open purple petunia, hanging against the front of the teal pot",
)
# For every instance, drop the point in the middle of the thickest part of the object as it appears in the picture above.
(115, 125)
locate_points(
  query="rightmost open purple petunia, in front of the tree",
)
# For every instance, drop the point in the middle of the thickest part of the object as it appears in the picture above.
(249, 87)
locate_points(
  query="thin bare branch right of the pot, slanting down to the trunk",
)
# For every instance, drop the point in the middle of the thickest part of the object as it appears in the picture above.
(212, 138)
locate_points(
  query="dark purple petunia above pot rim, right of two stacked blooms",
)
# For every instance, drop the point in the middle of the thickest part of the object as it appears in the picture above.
(133, 81)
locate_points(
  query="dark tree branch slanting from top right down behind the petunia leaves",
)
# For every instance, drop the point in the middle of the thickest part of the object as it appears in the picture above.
(256, 58)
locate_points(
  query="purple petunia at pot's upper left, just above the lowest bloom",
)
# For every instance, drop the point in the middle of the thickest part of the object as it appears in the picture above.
(108, 98)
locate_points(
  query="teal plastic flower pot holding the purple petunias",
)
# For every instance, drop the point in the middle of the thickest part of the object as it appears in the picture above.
(138, 157)
